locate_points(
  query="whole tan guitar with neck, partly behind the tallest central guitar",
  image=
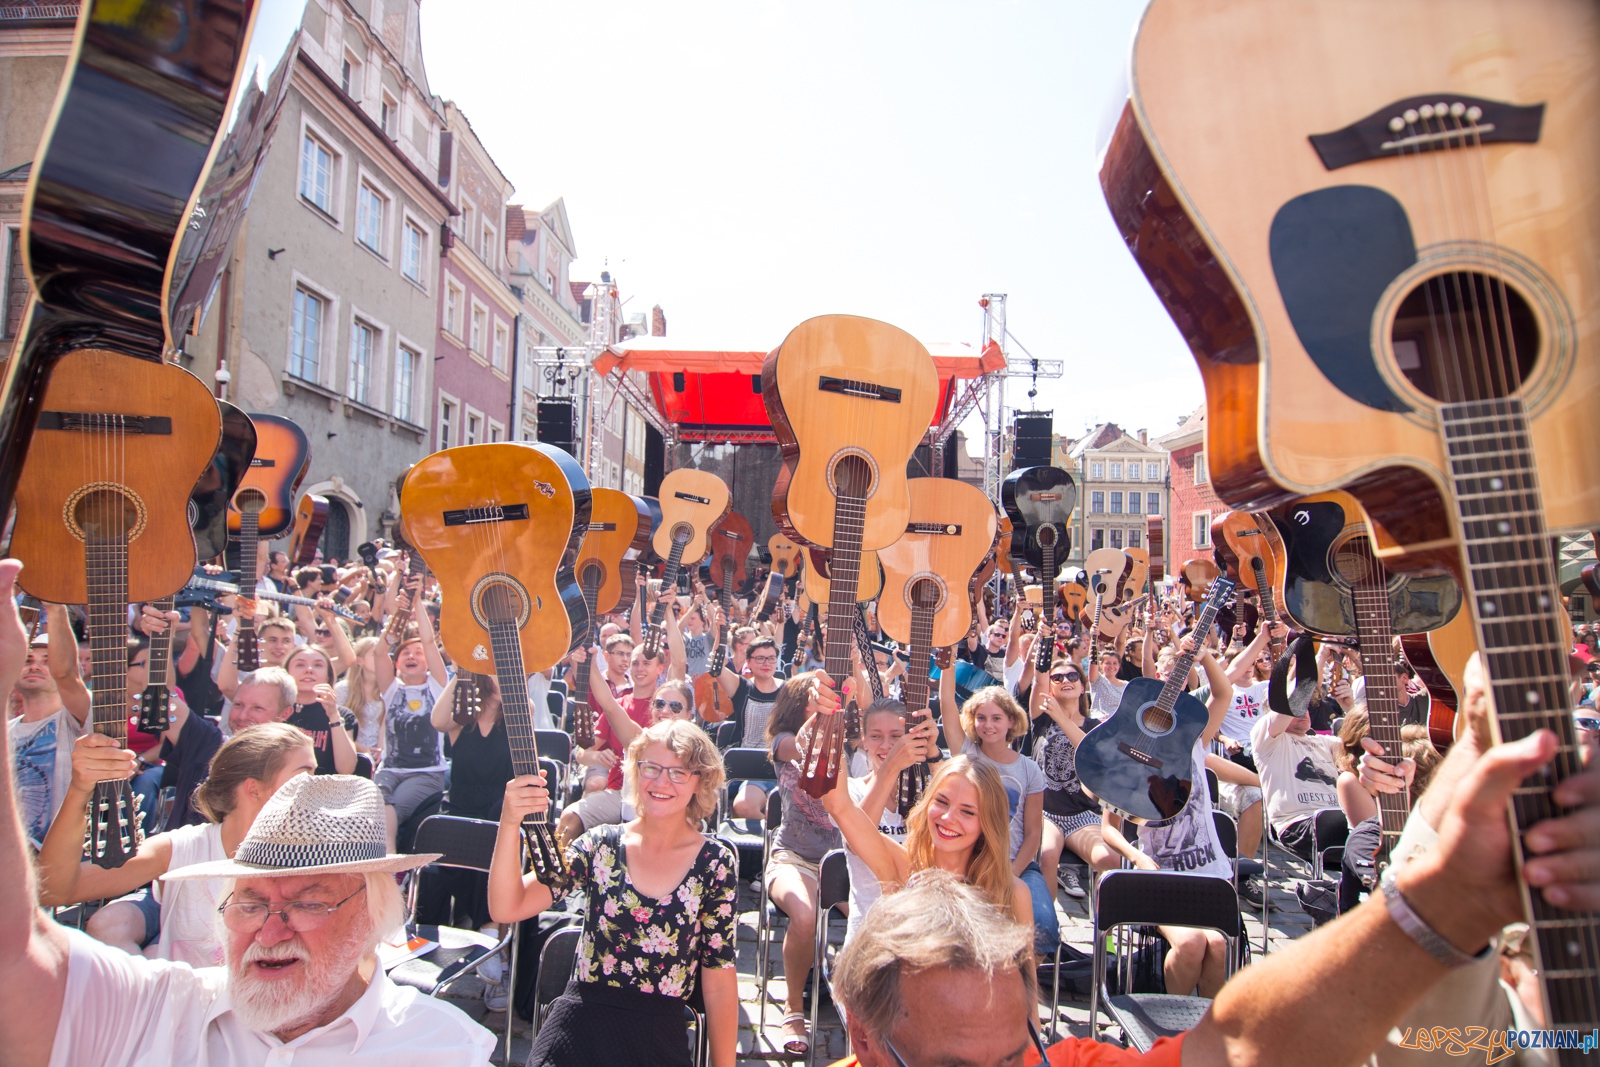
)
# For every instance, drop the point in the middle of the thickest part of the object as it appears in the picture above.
(954, 529)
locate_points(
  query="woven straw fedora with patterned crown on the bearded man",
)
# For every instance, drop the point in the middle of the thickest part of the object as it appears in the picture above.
(313, 826)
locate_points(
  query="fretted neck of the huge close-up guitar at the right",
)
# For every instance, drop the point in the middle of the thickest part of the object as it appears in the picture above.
(1522, 634)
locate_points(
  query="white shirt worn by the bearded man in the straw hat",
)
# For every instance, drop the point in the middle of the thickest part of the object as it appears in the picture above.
(129, 1012)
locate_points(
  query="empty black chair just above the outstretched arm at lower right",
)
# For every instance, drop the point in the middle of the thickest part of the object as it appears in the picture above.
(1156, 898)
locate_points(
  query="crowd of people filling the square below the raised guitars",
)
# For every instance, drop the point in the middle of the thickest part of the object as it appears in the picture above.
(281, 805)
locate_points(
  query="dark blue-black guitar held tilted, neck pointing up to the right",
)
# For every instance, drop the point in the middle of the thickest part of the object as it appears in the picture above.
(1140, 762)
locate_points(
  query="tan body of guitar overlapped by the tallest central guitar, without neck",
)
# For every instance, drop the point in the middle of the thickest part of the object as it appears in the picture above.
(956, 532)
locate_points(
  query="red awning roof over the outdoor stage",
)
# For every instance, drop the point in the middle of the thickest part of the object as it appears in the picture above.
(716, 396)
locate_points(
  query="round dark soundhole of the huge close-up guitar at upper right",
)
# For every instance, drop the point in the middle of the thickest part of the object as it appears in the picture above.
(1466, 337)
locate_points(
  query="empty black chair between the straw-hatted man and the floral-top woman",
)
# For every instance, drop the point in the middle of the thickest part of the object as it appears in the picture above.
(470, 845)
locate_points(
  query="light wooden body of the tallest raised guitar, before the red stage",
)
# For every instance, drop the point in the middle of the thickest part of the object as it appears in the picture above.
(847, 386)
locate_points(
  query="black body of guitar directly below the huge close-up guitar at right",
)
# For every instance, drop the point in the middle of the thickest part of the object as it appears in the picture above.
(1318, 594)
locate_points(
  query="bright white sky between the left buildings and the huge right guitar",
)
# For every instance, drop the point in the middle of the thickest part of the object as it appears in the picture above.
(753, 164)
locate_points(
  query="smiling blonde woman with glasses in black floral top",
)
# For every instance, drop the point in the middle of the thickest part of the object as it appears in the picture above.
(662, 911)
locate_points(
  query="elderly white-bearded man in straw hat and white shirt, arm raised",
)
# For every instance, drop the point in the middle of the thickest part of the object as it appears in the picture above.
(313, 895)
